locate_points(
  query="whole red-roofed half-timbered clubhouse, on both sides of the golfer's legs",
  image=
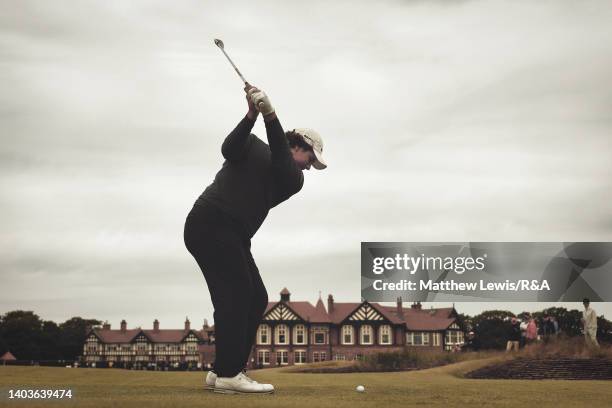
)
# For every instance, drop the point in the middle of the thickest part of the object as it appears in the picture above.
(291, 332)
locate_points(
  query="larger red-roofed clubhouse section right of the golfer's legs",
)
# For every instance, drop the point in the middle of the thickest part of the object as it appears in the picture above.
(297, 332)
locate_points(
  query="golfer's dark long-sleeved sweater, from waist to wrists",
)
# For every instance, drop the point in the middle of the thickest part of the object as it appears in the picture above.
(255, 176)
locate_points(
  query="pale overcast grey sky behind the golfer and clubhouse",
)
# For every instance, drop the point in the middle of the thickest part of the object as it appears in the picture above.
(442, 121)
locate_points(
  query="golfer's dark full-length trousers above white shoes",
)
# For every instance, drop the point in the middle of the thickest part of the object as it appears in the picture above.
(239, 297)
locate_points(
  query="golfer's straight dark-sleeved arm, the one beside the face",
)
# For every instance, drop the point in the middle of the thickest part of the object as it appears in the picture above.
(283, 164)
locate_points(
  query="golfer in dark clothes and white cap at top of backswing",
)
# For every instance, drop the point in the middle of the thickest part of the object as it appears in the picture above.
(254, 178)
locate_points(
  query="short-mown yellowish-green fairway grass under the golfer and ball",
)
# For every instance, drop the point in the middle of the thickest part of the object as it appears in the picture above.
(436, 387)
